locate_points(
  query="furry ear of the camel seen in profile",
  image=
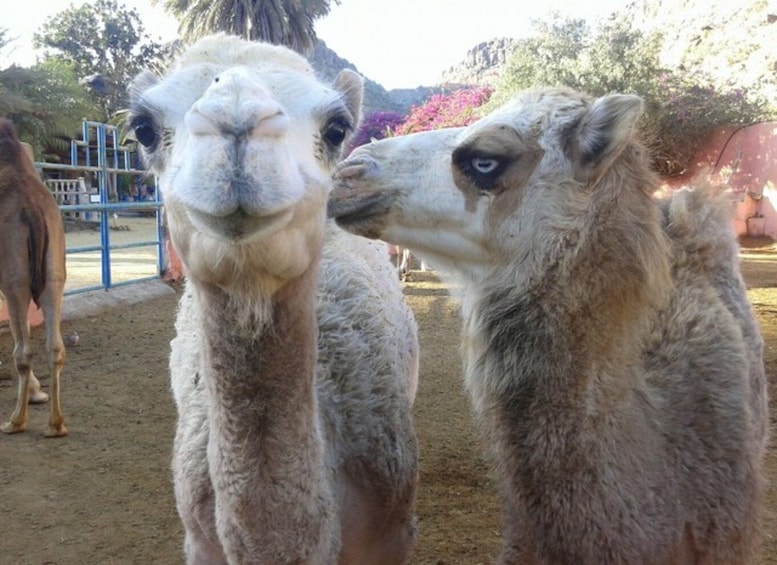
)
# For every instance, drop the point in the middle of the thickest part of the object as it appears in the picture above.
(602, 134)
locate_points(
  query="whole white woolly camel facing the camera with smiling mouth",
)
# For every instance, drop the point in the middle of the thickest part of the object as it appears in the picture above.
(295, 362)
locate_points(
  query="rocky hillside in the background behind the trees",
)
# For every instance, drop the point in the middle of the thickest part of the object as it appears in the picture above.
(732, 41)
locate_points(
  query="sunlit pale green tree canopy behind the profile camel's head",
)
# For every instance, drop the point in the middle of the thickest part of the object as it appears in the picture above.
(681, 106)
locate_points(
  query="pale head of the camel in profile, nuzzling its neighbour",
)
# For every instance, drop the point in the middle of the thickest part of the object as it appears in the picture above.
(512, 185)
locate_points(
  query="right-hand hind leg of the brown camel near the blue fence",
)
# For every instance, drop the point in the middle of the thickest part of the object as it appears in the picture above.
(51, 303)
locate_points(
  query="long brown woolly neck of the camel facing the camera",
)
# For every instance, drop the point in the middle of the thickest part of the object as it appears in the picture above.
(266, 452)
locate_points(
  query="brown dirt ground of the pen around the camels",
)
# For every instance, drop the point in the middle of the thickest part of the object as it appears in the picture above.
(104, 495)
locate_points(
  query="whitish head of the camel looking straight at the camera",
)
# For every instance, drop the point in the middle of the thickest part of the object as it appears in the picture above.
(244, 139)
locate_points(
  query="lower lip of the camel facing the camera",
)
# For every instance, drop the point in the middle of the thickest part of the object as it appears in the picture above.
(239, 225)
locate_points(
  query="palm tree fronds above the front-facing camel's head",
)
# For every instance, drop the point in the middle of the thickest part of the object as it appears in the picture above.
(283, 22)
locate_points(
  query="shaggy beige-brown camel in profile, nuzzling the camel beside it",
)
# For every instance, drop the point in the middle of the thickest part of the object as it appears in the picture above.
(610, 352)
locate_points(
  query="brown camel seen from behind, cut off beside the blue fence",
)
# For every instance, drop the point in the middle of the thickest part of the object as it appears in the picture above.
(32, 267)
